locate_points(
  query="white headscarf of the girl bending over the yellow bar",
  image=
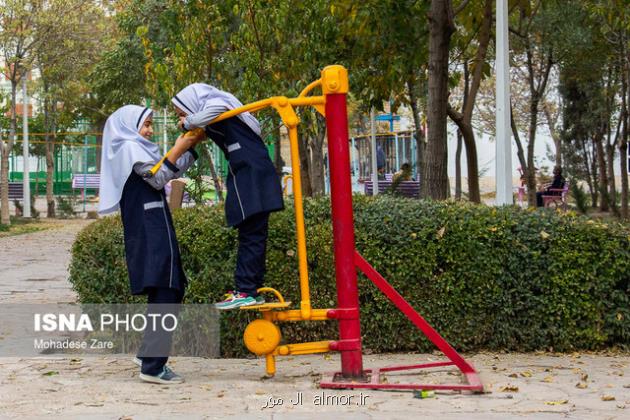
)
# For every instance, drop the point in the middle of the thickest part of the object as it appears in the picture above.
(193, 98)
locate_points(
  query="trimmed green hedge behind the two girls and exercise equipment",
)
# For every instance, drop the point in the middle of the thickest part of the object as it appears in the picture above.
(484, 277)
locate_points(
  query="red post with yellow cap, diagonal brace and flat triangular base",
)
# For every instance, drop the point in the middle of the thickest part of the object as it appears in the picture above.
(334, 84)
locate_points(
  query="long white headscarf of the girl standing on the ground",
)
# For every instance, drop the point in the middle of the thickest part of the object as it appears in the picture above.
(123, 147)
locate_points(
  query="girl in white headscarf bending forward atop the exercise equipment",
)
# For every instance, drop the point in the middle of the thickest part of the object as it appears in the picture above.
(253, 186)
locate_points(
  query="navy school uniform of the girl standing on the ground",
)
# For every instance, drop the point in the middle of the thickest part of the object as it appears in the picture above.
(153, 258)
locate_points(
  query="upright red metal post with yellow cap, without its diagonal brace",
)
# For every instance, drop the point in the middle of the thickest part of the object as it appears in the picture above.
(335, 87)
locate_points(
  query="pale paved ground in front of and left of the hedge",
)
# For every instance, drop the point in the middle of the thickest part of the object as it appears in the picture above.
(33, 269)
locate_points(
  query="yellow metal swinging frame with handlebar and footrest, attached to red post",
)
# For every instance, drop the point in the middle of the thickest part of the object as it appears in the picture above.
(334, 79)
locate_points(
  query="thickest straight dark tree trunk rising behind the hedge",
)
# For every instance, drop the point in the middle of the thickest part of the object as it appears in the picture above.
(441, 28)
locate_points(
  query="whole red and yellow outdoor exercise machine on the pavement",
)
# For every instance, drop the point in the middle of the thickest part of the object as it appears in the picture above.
(263, 336)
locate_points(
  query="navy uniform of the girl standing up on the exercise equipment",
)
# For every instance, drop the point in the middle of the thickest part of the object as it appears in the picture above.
(253, 192)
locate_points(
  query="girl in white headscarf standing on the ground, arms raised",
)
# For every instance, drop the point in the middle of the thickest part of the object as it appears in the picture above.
(151, 248)
